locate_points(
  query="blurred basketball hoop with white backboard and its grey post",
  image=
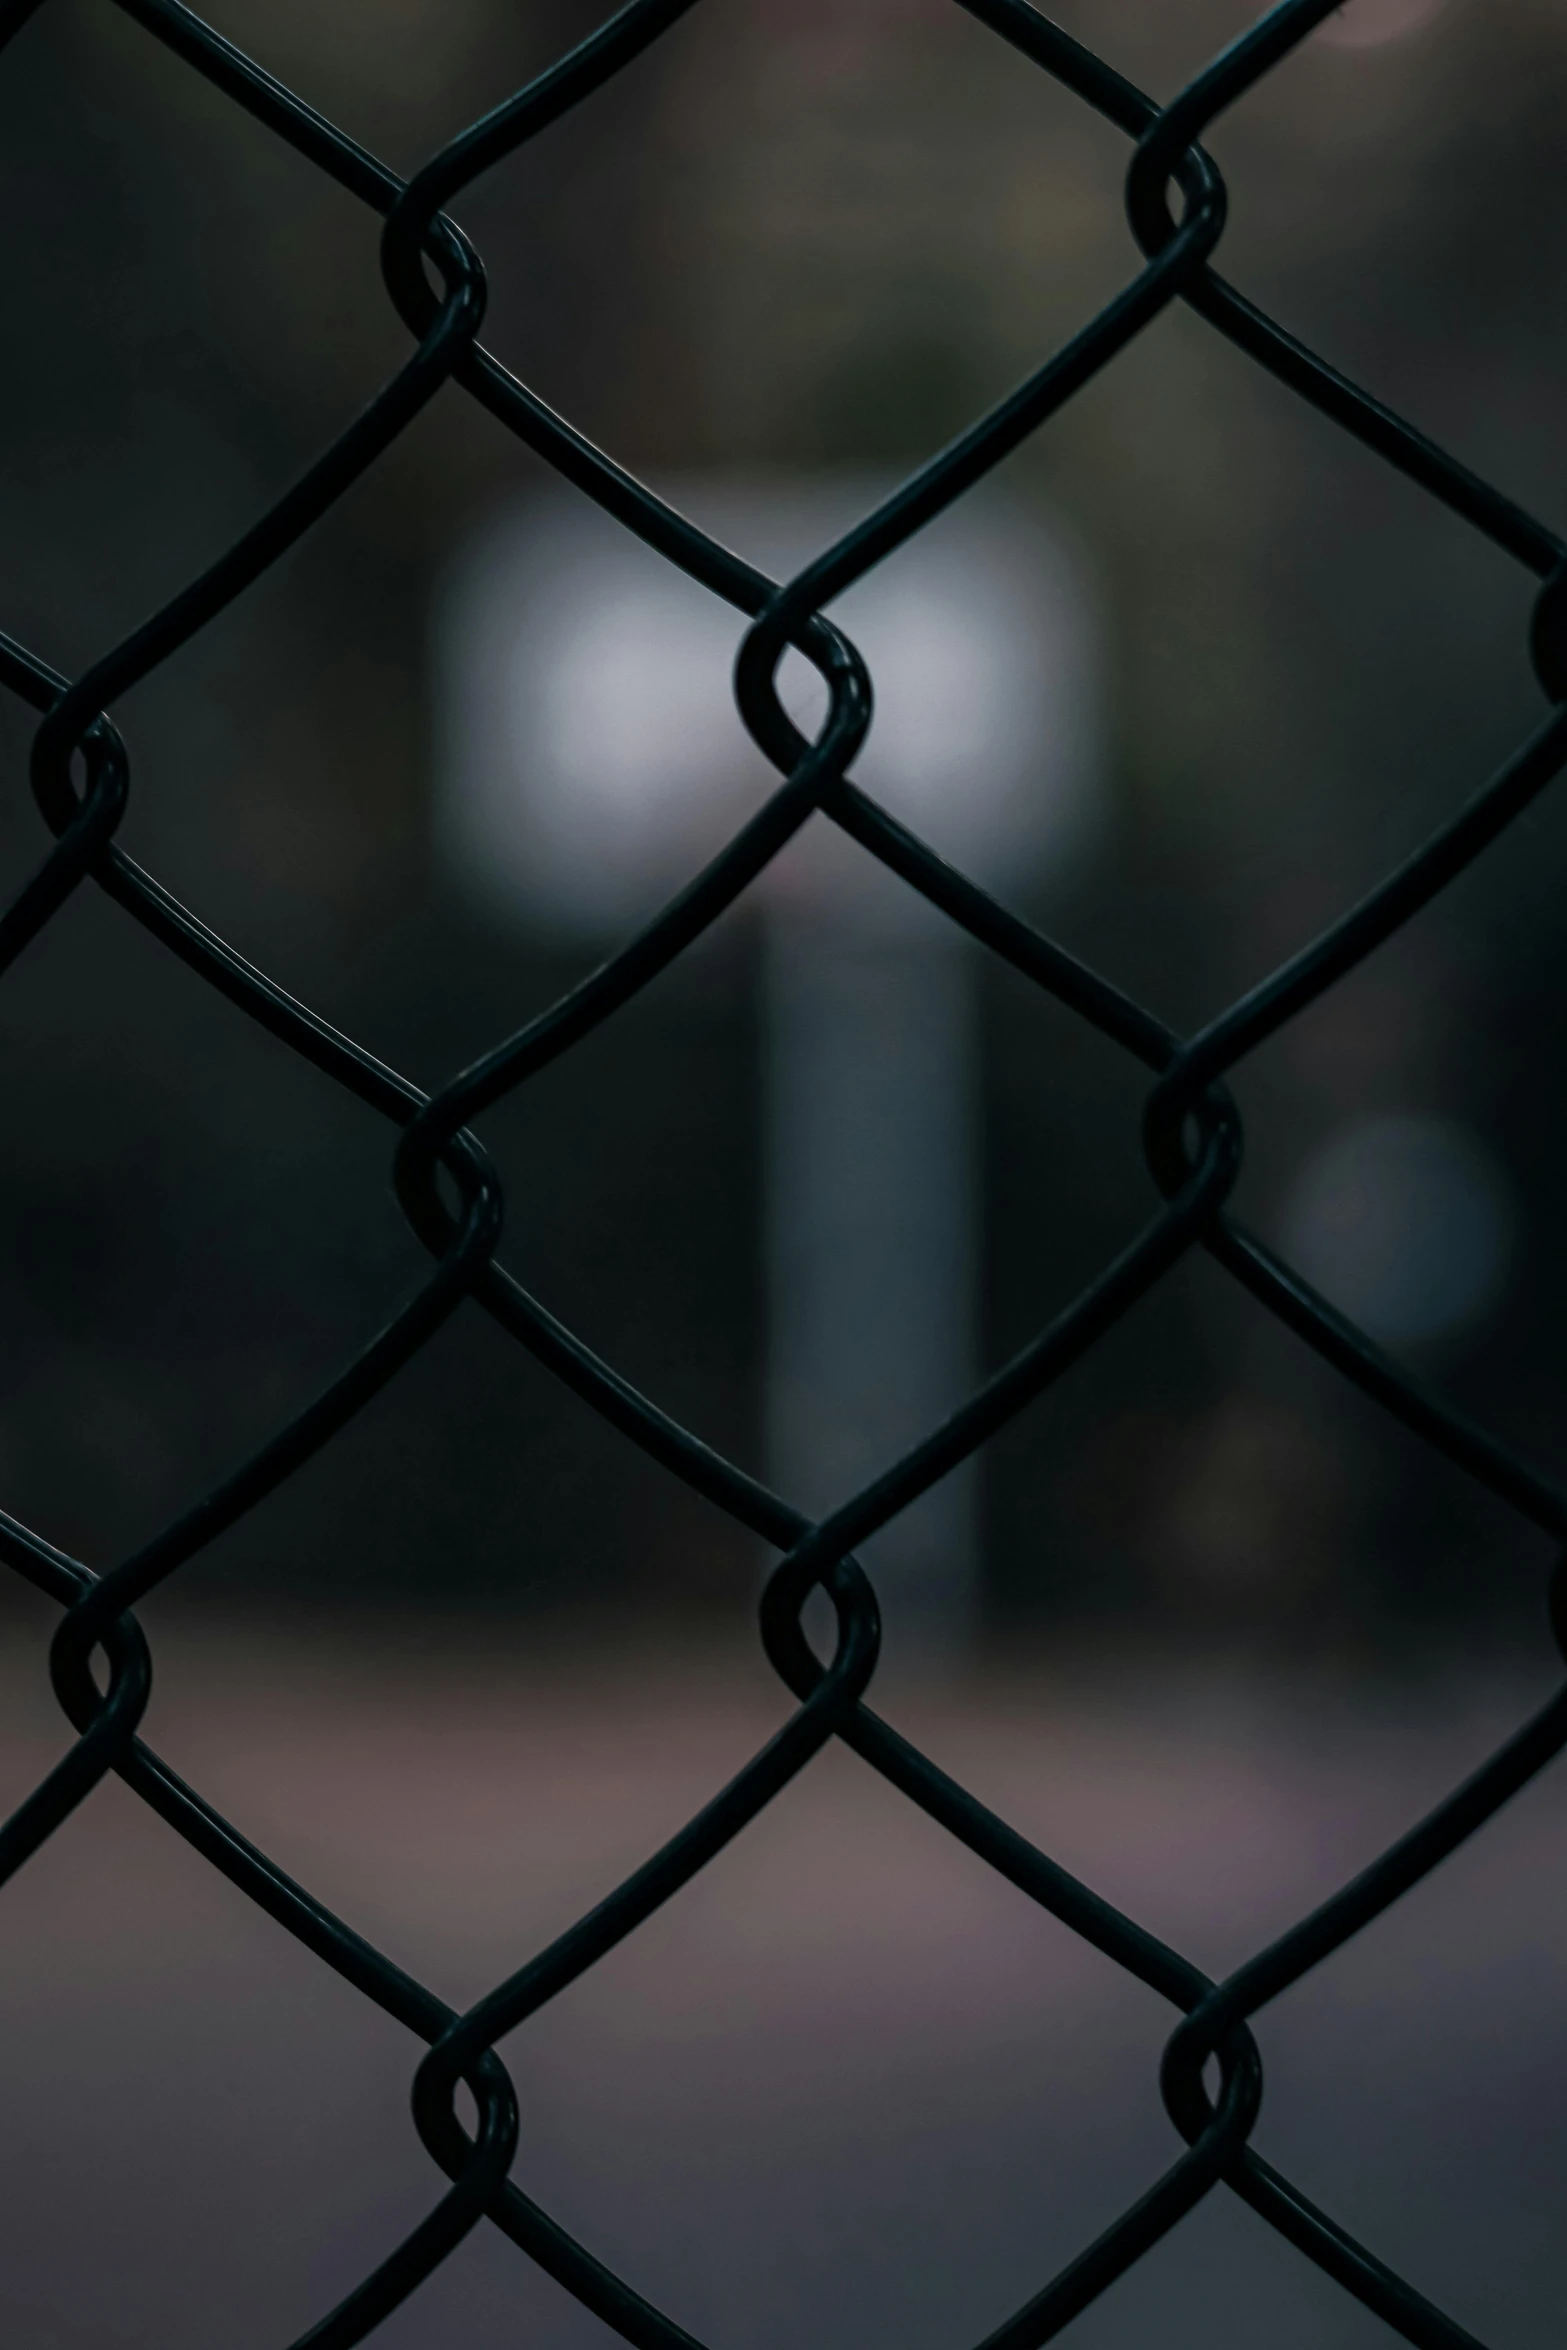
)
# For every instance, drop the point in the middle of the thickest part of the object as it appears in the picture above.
(593, 760)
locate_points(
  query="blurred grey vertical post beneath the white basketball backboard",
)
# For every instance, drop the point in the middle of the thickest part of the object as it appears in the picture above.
(873, 1228)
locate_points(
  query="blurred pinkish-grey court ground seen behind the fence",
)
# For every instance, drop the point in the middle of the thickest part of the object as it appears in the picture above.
(847, 2088)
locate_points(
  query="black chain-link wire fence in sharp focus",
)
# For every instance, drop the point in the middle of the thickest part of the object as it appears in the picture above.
(102, 1670)
